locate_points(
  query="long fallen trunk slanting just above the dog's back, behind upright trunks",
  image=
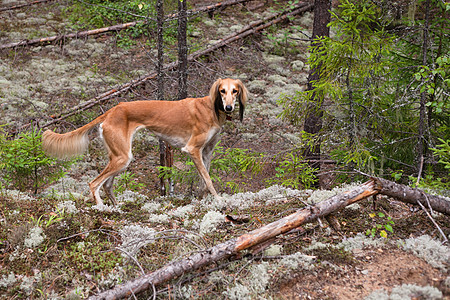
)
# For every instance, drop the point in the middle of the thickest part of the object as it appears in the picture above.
(246, 31)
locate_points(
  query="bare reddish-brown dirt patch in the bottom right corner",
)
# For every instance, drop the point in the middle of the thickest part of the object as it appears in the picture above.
(377, 269)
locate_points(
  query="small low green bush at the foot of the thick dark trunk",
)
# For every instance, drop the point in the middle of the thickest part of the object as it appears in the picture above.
(293, 171)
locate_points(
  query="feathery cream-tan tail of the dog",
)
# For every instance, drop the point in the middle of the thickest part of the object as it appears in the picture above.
(70, 144)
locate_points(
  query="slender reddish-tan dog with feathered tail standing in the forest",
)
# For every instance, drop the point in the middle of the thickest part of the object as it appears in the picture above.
(192, 124)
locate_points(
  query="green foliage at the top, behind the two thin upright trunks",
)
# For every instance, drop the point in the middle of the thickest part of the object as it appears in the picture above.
(97, 13)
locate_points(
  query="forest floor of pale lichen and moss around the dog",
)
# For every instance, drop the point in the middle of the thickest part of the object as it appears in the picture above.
(57, 244)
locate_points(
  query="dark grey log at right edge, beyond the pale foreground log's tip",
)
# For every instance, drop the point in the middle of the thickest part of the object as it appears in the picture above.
(411, 195)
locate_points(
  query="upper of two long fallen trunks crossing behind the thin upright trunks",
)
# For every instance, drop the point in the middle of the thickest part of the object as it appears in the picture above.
(118, 27)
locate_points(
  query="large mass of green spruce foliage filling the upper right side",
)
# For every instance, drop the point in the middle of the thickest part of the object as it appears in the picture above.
(369, 90)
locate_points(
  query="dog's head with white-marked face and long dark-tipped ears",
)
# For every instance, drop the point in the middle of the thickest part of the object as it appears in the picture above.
(225, 93)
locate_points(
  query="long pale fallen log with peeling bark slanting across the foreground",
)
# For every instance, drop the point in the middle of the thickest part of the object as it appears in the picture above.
(236, 245)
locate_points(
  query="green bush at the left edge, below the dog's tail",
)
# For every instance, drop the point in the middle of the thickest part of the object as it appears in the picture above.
(23, 163)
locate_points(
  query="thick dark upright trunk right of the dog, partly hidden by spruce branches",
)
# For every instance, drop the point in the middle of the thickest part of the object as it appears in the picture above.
(313, 120)
